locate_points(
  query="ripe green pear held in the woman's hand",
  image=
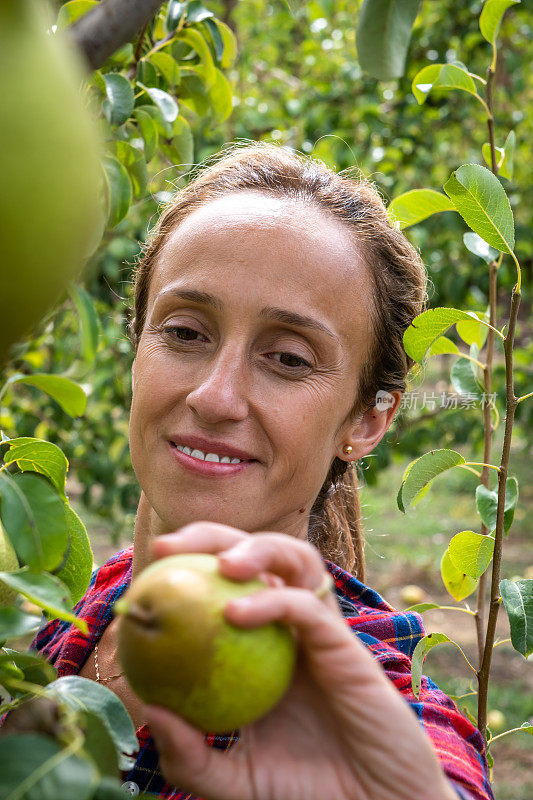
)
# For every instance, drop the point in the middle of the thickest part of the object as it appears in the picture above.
(178, 651)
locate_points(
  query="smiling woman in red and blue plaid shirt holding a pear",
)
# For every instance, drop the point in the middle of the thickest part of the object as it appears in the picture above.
(270, 306)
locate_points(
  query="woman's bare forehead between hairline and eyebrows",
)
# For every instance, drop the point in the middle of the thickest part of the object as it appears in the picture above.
(254, 248)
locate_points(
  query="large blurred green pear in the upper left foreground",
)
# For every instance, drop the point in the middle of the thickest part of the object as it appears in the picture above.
(49, 168)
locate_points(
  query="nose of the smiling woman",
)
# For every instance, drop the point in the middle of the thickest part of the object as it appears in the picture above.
(221, 392)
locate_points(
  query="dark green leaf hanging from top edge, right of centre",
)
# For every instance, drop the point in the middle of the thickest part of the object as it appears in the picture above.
(383, 36)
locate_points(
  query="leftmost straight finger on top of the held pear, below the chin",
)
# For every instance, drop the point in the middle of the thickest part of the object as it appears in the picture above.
(198, 537)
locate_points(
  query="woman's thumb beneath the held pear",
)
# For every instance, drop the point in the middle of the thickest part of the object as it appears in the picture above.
(187, 762)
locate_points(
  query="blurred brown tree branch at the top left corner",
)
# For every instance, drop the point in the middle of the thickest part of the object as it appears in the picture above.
(112, 23)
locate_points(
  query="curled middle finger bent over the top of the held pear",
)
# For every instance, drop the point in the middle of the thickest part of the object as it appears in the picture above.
(296, 561)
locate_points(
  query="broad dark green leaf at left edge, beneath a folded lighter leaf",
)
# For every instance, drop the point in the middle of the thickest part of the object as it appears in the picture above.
(33, 514)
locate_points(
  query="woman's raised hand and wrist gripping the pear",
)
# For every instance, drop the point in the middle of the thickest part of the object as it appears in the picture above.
(341, 732)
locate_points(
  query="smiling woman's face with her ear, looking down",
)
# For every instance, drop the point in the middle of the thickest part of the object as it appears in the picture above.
(257, 325)
